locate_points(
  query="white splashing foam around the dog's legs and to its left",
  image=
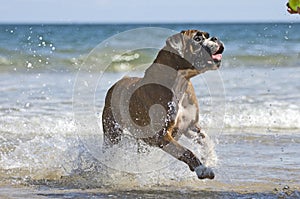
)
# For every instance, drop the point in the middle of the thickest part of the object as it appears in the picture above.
(48, 148)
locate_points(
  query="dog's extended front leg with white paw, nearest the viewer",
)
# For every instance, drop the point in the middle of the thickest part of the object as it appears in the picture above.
(185, 155)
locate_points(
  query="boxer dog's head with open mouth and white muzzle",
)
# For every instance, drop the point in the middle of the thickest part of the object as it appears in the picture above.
(198, 48)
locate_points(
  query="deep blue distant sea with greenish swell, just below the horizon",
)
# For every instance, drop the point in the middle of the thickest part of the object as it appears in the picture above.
(44, 47)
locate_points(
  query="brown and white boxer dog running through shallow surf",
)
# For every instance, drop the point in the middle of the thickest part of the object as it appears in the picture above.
(162, 105)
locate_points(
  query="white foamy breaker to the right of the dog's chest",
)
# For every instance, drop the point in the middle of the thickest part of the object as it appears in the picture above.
(268, 116)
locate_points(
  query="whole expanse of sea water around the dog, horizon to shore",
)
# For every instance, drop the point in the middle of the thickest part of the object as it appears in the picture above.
(250, 109)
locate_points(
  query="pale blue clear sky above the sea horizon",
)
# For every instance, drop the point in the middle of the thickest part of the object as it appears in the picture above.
(144, 11)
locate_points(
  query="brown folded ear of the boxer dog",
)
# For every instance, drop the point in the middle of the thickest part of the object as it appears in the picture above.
(176, 43)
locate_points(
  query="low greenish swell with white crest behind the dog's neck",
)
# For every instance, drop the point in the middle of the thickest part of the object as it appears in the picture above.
(121, 62)
